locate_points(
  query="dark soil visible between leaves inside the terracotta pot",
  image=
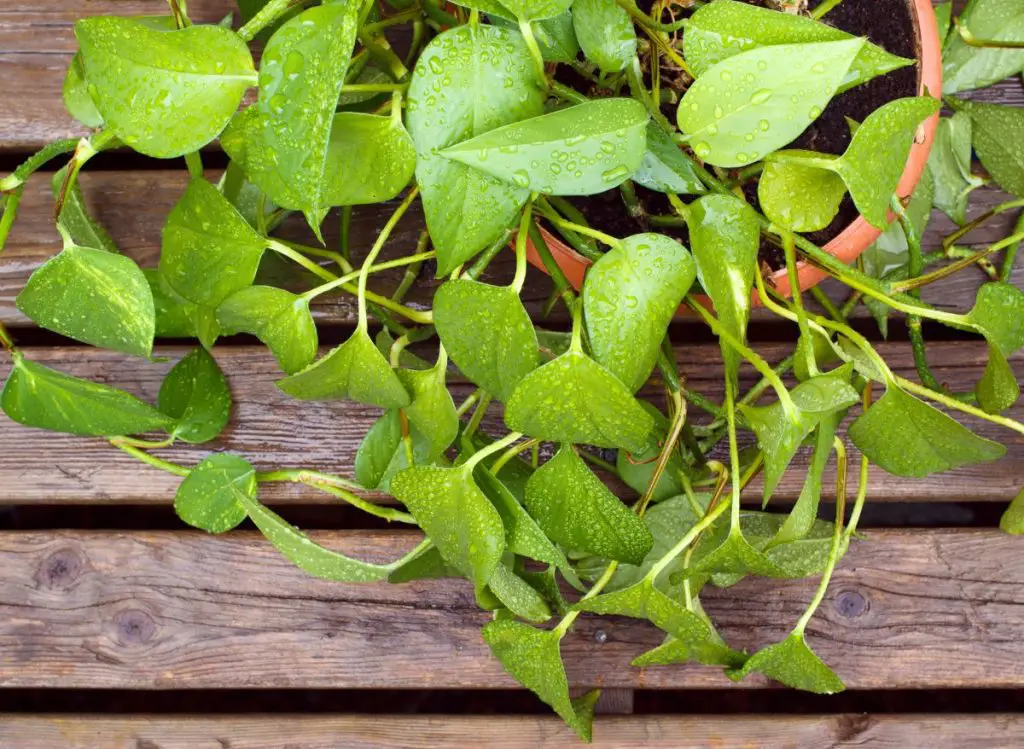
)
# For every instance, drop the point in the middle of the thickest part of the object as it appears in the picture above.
(886, 23)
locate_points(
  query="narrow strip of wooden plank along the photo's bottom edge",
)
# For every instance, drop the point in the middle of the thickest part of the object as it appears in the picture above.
(421, 732)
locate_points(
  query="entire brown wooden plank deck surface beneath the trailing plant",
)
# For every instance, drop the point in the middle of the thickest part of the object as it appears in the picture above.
(935, 610)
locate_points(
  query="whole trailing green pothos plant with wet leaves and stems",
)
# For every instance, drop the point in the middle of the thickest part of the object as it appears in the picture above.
(693, 101)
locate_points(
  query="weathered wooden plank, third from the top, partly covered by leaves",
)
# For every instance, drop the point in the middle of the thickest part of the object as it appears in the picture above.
(276, 432)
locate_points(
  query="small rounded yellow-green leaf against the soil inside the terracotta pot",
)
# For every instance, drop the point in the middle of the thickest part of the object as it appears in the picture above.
(798, 197)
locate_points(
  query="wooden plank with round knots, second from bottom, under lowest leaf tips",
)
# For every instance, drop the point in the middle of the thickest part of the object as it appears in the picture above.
(909, 609)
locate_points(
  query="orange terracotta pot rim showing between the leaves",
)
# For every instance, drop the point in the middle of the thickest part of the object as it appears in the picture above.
(859, 236)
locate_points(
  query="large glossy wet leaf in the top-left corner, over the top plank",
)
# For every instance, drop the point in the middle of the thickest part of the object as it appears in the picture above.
(165, 94)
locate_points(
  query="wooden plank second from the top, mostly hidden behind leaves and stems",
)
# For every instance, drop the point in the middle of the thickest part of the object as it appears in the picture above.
(134, 205)
